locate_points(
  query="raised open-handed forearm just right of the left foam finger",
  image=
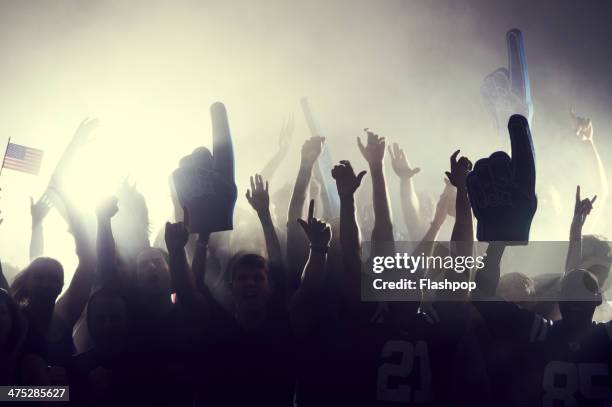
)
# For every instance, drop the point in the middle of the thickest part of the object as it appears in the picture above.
(259, 199)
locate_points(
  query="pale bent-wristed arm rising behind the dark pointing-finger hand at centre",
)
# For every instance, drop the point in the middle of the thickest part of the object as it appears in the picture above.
(296, 242)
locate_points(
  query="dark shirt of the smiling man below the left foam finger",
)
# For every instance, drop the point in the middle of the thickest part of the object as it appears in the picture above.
(239, 367)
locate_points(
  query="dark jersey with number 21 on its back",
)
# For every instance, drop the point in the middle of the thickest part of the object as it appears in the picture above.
(370, 361)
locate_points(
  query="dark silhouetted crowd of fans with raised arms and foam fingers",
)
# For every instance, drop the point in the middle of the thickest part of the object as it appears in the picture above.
(233, 317)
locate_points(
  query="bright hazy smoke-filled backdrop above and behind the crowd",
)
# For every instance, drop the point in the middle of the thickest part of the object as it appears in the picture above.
(410, 70)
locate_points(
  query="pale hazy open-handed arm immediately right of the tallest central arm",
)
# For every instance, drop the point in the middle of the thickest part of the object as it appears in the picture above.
(411, 209)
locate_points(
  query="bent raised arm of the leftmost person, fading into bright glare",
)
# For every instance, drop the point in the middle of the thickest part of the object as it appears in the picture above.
(71, 304)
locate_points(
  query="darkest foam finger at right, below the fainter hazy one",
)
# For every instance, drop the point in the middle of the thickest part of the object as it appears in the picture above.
(502, 189)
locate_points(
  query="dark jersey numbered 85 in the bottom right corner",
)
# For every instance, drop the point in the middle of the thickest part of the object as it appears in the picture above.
(547, 366)
